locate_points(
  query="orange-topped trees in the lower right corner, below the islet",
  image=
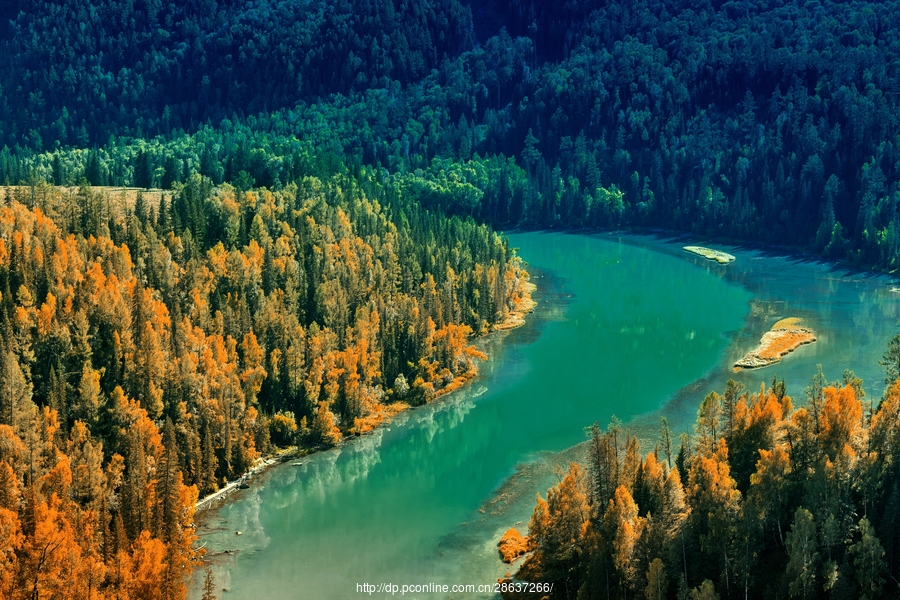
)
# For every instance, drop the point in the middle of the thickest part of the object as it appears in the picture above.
(765, 500)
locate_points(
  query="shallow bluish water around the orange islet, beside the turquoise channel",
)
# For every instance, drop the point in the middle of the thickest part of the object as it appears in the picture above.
(852, 312)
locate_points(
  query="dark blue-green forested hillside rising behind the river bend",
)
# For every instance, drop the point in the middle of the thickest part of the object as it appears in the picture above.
(754, 121)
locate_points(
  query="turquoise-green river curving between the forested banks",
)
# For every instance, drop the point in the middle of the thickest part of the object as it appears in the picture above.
(629, 326)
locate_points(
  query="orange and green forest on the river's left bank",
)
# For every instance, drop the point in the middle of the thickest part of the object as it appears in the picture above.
(151, 350)
